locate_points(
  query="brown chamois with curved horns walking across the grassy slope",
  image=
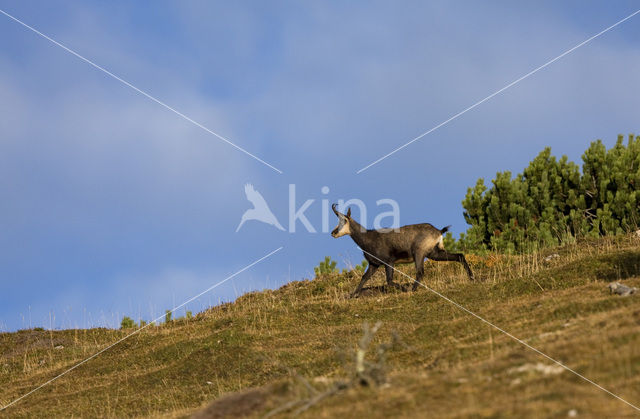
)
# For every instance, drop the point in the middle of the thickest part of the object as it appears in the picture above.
(410, 243)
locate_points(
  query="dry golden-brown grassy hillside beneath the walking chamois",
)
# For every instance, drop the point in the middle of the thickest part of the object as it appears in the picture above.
(277, 349)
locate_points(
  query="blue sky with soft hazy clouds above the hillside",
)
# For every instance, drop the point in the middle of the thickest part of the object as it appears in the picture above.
(111, 205)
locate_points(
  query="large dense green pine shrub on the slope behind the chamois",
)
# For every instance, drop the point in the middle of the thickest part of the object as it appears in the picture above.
(553, 202)
